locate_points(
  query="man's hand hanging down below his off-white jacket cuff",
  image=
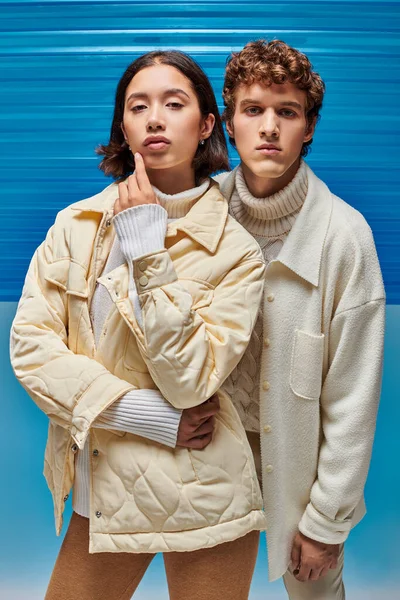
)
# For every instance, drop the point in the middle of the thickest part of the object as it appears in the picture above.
(310, 559)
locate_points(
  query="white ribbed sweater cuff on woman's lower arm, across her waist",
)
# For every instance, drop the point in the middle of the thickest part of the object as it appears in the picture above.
(145, 413)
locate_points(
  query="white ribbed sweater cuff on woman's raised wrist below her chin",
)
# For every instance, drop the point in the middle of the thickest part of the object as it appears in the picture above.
(141, 229)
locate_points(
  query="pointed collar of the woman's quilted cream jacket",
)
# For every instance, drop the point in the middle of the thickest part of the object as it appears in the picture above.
(204, 222)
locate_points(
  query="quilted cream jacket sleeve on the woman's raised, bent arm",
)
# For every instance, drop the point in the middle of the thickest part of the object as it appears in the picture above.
(190, 352)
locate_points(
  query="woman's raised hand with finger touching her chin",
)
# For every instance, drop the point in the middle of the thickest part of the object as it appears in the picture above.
(136, 190)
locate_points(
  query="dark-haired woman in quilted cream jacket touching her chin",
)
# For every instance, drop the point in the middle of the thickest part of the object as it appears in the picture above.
(117, 303)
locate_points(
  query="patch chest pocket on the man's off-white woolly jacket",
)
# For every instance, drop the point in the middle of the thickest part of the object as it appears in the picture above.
(306, 365)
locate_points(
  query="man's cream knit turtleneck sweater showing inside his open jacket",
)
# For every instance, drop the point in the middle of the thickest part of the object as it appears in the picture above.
(269, 220)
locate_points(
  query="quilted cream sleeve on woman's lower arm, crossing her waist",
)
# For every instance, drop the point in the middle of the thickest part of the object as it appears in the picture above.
(71, 389)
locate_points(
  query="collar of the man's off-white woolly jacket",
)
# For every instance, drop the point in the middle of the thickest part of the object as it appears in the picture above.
(303, 248)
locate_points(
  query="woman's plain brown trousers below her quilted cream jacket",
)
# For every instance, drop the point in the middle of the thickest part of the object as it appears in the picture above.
(221, 572)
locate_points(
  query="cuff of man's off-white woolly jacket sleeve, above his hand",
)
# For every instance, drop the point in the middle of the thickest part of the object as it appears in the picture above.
(318, 527)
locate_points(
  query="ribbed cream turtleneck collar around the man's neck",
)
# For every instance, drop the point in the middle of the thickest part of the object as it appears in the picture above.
(273, 215)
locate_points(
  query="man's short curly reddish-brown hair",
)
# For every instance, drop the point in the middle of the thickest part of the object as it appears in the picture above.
(272, 62)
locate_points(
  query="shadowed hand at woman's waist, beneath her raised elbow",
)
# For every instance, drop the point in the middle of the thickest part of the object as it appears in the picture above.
(197, 424)
